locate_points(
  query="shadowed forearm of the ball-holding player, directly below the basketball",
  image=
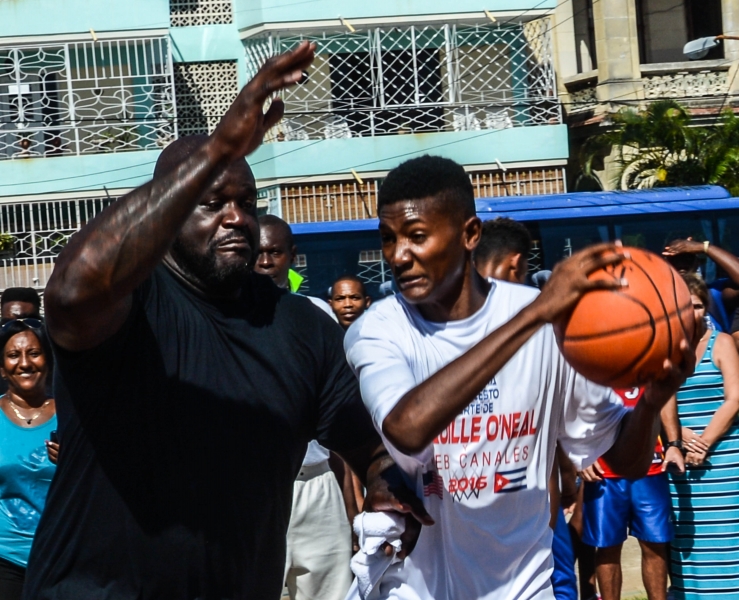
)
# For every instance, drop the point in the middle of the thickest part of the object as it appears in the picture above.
(633, 450)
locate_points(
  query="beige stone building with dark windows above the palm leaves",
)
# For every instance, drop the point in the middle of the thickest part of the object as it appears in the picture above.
(612, 54)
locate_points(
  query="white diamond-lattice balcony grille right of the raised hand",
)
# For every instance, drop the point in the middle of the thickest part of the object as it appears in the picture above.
(414, 79)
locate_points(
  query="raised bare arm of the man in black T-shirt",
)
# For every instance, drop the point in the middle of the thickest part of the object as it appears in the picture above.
(89, 294)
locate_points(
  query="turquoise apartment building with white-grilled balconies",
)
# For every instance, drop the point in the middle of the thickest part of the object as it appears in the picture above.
(91, 91)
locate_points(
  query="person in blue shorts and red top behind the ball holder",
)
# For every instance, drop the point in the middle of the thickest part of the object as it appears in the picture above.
(614, 505)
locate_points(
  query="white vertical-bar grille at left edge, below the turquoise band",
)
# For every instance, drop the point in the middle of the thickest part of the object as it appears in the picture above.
(41, 230)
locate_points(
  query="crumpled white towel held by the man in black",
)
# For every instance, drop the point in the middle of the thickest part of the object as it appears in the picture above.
(370, 563)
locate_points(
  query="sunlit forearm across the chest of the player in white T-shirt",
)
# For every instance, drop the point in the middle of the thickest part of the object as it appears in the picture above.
(426, 410)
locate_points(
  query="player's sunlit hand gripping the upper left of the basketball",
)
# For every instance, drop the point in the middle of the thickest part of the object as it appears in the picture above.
(569, 280)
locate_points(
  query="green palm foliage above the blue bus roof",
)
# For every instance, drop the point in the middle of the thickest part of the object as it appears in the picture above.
(660, 148)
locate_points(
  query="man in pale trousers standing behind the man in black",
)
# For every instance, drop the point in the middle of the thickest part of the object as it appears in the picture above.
(319, 538)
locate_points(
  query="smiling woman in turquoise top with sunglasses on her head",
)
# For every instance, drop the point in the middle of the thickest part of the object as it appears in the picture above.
(27, 418)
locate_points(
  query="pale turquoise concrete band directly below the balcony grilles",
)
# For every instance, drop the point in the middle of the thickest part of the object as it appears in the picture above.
(290, 159)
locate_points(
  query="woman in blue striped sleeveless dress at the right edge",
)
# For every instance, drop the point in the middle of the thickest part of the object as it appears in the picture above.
(705, 505)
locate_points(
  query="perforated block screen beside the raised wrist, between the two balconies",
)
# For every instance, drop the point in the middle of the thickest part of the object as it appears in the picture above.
(204, 91)
